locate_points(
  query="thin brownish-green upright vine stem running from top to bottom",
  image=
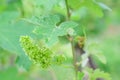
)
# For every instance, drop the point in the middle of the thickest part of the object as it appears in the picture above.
(71, 40)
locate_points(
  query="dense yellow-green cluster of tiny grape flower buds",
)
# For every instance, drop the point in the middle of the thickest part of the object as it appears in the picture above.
(37, 55)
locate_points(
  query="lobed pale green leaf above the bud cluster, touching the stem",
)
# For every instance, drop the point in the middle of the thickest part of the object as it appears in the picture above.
(50, 30)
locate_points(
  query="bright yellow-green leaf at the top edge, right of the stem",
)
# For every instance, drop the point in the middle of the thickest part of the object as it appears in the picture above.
(92, 6)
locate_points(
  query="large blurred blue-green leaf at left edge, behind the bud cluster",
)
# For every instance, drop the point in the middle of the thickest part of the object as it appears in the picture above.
(10, 31)
